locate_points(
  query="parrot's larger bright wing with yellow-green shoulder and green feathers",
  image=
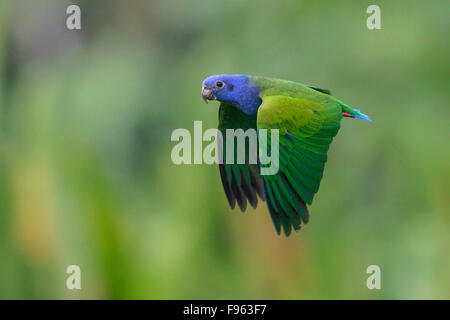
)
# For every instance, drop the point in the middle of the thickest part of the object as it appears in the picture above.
(306, 129)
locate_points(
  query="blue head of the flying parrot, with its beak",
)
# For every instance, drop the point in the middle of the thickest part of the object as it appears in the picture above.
(234, 89)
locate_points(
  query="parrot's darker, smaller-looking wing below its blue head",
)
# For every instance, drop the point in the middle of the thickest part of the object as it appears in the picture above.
(241, 182)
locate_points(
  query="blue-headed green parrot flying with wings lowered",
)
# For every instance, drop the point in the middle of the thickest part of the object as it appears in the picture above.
(307, 119)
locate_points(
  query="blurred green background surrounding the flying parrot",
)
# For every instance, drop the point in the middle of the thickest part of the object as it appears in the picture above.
(86, 176)
